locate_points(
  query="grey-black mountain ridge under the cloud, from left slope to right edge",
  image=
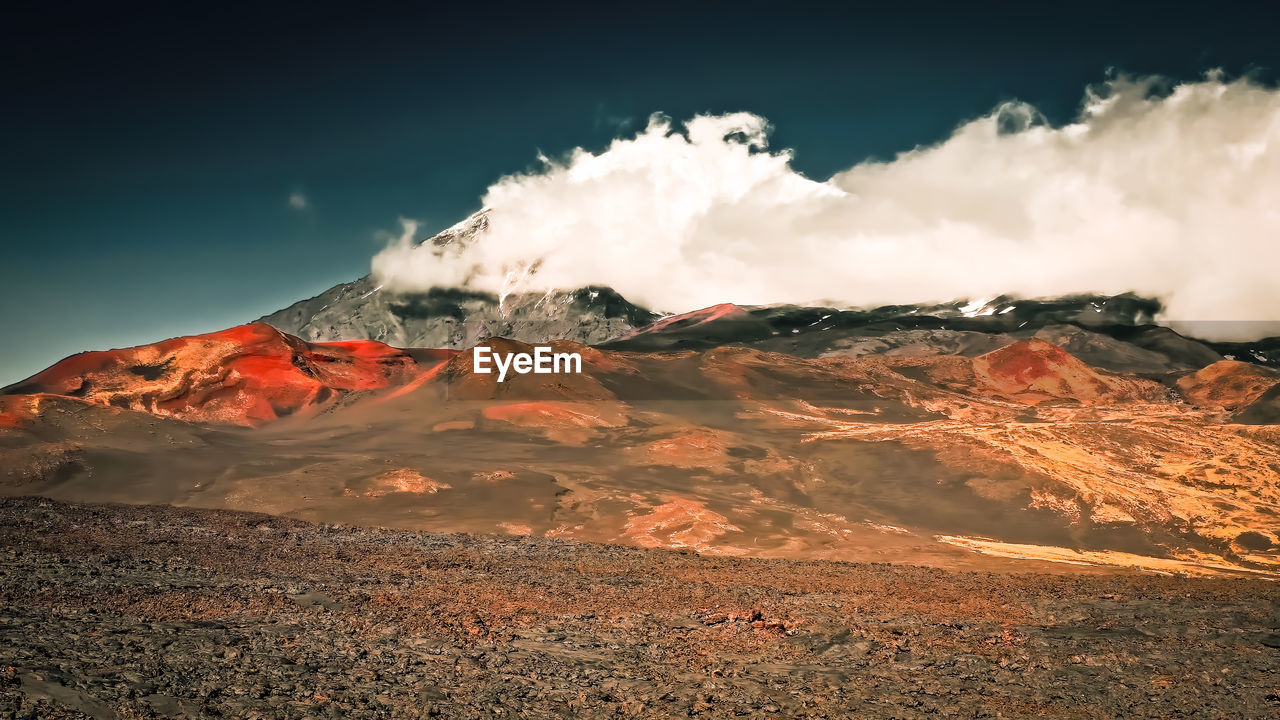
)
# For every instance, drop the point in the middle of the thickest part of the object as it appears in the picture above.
(1089, 325)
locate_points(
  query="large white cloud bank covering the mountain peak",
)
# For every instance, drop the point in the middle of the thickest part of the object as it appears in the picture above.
(1168, 192)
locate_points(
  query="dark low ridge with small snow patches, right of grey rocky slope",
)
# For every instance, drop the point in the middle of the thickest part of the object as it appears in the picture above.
(1118, 332)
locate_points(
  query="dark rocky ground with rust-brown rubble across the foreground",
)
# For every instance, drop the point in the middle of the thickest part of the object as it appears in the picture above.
(145, 612)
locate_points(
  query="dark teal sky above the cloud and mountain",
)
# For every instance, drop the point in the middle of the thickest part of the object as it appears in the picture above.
(171, 170)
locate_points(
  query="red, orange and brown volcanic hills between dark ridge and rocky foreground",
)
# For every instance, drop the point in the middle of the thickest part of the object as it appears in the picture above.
(1026, 452)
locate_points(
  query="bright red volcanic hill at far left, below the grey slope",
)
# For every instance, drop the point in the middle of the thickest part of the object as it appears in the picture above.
(245, 376)
